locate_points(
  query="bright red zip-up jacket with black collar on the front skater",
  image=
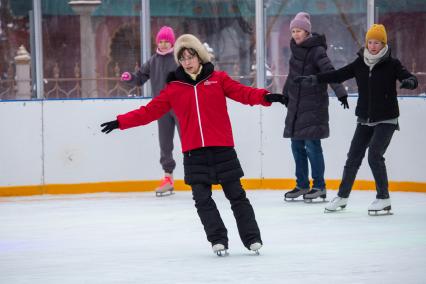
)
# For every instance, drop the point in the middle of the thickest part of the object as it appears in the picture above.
(200, 106)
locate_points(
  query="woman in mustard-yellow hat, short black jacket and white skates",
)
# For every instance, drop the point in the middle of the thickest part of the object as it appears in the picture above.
(375, 72)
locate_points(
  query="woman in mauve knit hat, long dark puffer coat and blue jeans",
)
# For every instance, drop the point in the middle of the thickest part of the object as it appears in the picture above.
(306, 122)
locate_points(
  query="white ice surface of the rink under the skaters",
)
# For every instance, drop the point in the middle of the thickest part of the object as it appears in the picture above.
(138, 238)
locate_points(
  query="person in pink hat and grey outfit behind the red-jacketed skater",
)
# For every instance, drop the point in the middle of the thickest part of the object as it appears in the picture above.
(156, 70)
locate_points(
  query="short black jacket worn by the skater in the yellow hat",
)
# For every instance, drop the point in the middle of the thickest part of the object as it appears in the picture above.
(377, 96)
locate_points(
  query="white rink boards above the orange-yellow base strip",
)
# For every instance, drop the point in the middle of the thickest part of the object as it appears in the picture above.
(75, 151)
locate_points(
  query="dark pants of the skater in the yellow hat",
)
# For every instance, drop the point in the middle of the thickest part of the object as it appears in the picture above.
(376, 139)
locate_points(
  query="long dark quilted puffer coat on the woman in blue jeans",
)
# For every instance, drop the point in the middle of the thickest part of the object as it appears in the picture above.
(307, 109)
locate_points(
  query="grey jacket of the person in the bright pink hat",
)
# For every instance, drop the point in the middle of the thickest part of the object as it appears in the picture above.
(156, 68)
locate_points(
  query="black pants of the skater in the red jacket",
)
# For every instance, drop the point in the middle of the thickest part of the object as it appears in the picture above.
(210, 217)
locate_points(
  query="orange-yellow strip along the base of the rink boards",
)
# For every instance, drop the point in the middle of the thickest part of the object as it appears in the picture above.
(150, 185)
